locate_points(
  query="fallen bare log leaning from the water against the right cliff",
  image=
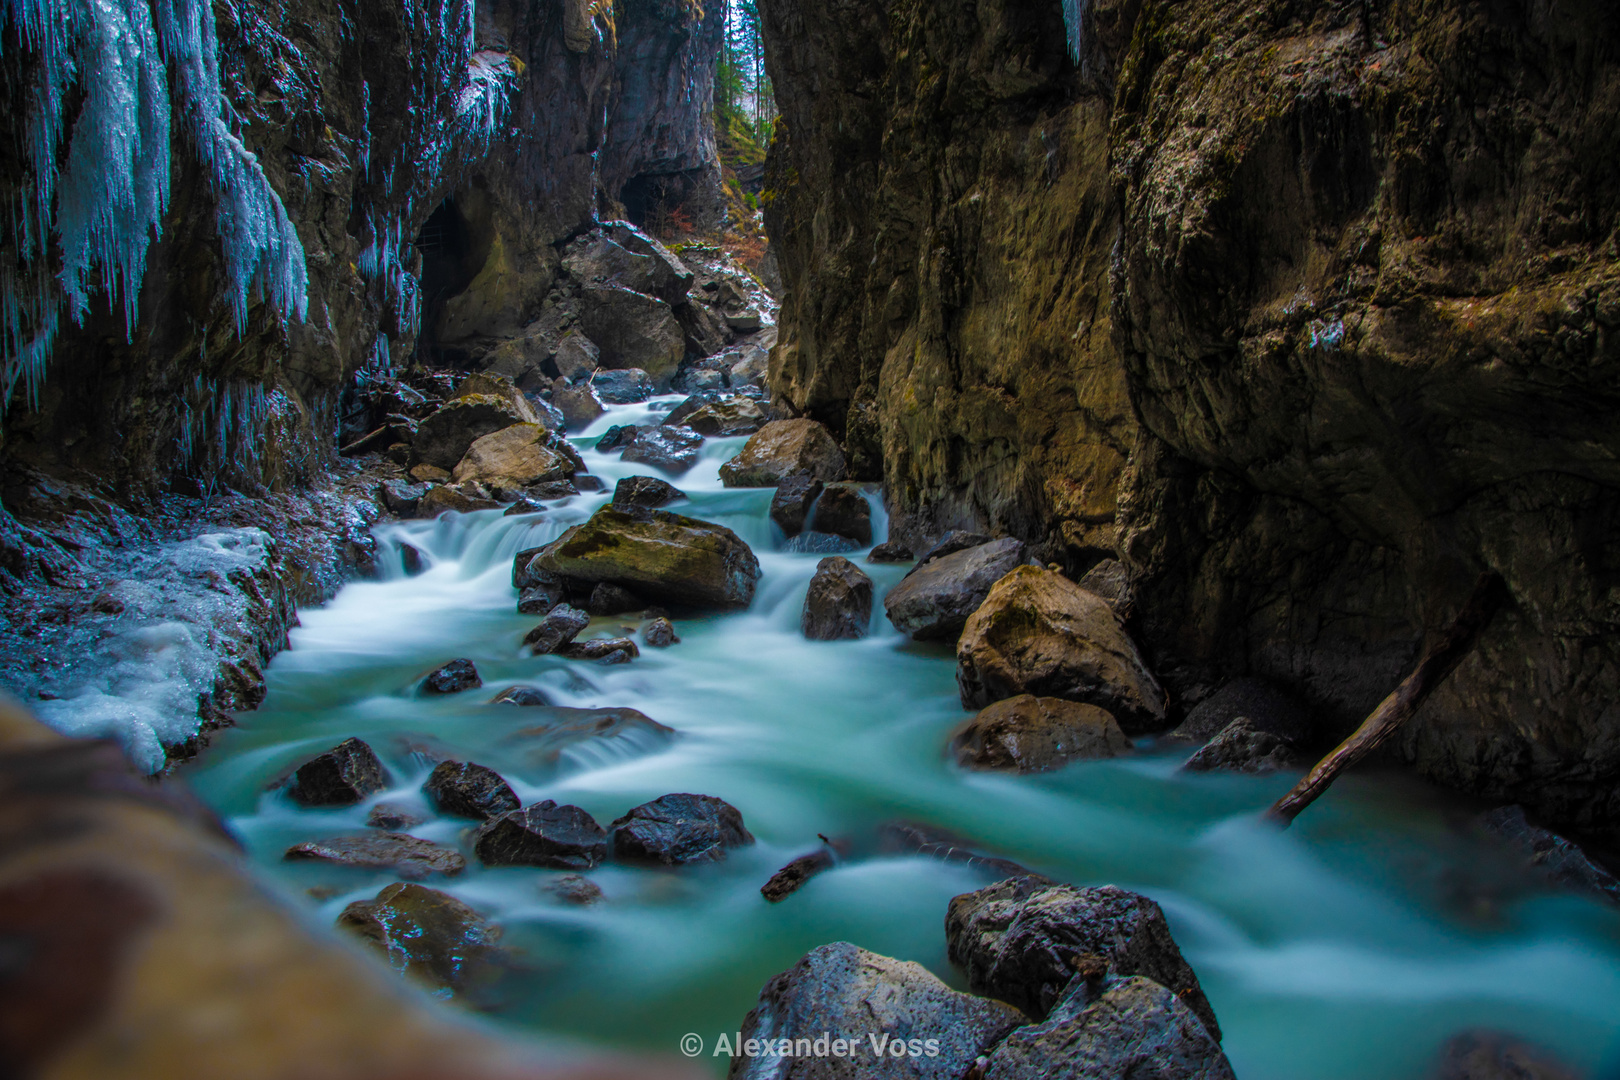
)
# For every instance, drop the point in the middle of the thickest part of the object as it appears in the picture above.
(1438, 661)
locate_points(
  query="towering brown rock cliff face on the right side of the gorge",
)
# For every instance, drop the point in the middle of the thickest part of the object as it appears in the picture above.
(1308, 308)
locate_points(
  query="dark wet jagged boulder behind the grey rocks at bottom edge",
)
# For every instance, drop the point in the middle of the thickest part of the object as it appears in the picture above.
(1018, 942)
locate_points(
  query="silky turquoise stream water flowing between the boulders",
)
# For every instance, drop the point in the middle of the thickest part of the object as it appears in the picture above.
(1347, 948)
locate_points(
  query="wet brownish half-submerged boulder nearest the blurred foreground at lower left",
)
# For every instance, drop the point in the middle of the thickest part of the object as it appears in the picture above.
(425, 935)
